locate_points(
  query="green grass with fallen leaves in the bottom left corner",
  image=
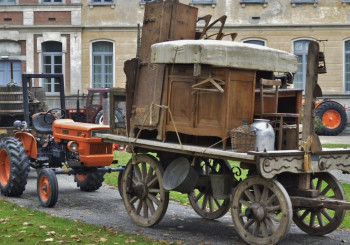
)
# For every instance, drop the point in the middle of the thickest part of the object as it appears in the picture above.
(20, 225)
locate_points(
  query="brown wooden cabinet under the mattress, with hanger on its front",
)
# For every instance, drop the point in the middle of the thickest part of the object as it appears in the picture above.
(207, 113)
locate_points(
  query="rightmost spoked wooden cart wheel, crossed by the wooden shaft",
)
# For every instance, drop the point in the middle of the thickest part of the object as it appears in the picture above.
(321, 221)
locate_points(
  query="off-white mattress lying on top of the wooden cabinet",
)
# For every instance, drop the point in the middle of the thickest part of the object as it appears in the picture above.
(223, 54)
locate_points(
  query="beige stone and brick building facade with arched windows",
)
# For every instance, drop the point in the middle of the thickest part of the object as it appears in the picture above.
(89, 40)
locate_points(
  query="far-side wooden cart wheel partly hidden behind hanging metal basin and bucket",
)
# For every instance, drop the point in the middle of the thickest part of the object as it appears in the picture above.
(202, 200)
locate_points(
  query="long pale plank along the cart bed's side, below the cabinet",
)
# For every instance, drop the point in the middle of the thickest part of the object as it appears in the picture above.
(177, 148)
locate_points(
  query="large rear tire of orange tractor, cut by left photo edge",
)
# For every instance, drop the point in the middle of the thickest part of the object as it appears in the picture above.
(14, 167)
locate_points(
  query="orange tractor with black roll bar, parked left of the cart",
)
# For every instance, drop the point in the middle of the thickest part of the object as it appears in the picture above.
(55, 143)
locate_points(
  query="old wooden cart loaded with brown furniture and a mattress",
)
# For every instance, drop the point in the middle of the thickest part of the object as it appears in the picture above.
(186, 96)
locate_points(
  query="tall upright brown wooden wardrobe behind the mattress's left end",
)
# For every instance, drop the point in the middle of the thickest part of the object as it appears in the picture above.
(163, 21)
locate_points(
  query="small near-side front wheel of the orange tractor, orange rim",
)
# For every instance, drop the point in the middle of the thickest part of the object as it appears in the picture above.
(47, 188)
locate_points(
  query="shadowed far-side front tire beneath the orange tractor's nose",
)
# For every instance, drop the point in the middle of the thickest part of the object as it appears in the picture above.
(89, 182)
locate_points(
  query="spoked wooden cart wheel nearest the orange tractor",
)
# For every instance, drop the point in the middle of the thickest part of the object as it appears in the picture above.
(144, 196)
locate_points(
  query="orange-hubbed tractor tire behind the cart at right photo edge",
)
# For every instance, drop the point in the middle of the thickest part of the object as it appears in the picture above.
(333, 116)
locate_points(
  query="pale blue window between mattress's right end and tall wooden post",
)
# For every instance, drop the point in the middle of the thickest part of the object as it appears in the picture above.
(300, 49)
